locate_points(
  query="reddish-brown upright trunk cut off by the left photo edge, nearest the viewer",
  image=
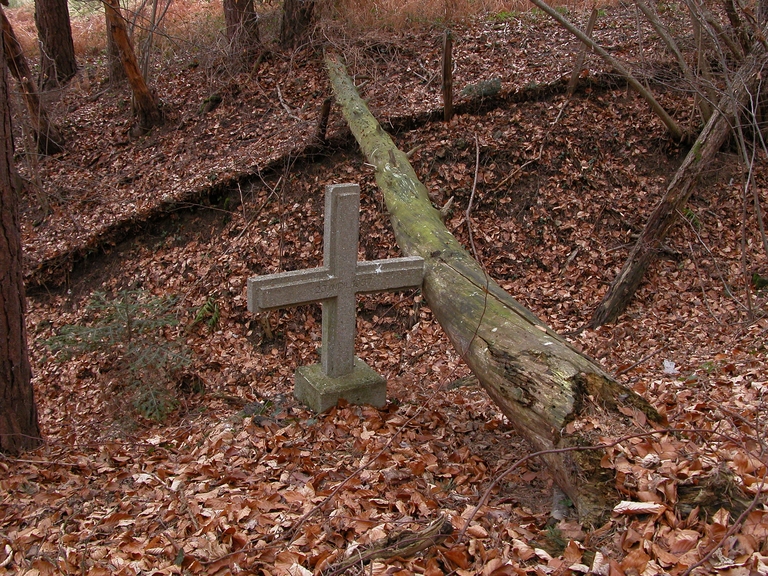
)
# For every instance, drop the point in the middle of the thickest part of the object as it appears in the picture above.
(19, 429)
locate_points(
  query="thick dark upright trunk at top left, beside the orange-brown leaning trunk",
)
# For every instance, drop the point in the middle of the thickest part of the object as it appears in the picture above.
(57, 51)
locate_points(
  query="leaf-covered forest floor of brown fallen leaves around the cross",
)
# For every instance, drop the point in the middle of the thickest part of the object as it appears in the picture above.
(180, 449)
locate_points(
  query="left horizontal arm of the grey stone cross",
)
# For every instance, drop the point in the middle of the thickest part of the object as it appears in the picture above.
(293, 288)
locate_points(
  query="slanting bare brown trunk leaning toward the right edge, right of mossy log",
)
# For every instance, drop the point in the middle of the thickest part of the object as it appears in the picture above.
(681, 187)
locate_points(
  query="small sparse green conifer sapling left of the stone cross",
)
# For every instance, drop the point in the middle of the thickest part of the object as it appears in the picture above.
(130, 333)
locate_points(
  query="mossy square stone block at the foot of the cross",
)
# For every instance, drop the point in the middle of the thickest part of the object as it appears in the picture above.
(319, 392)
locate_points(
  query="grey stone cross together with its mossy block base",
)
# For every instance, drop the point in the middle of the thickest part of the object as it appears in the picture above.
(340, 374)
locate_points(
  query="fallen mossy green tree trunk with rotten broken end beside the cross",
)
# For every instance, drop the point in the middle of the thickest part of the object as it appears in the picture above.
(546, 388)
